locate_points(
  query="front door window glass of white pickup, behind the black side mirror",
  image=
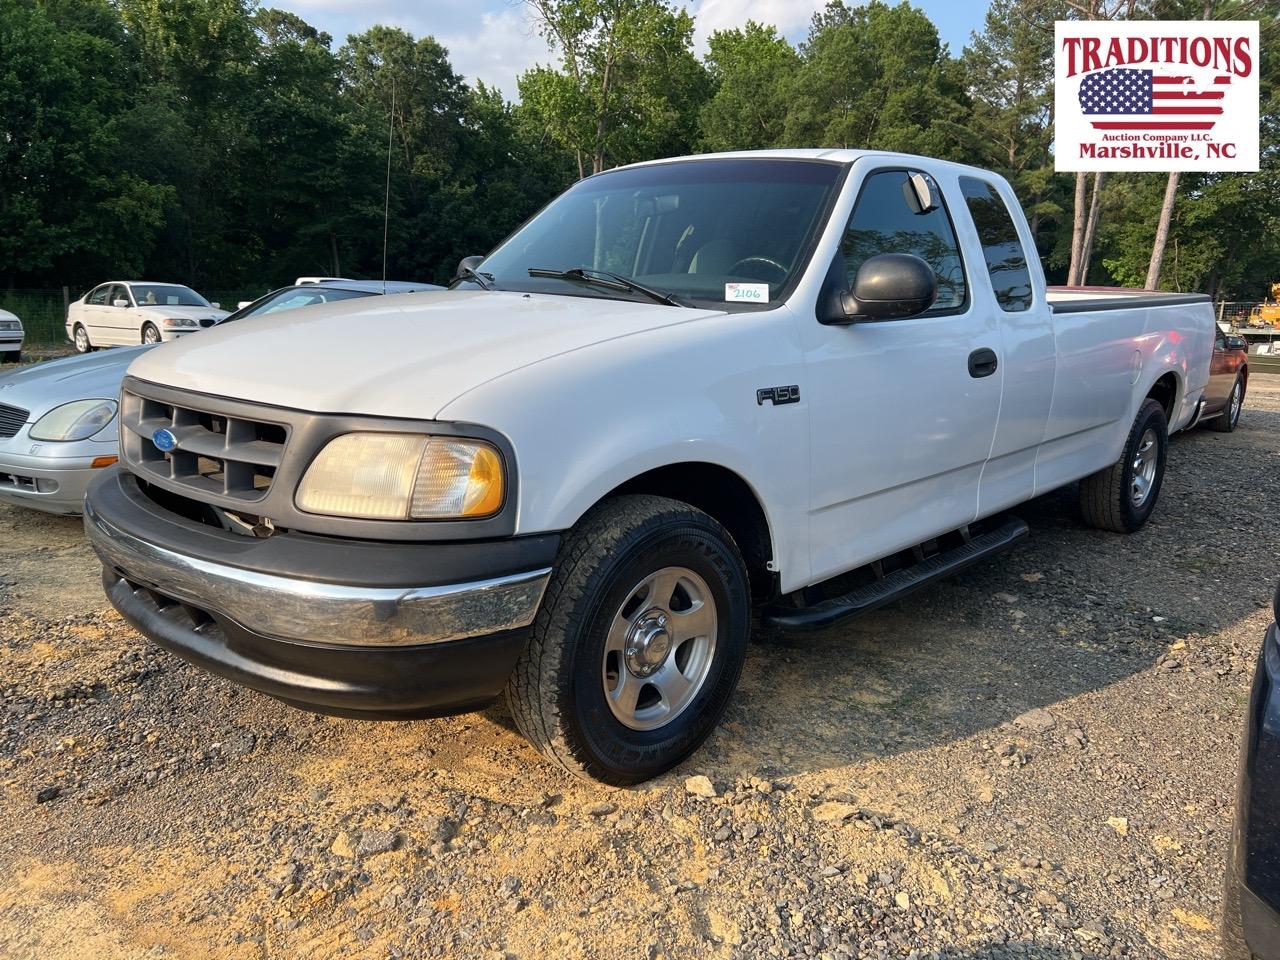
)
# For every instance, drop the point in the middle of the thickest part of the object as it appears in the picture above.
(885, 222)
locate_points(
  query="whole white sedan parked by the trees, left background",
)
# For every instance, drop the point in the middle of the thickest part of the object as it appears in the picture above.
(127, 313)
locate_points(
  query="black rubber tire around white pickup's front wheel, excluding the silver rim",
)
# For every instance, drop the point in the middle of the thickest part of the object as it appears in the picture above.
(557, 692)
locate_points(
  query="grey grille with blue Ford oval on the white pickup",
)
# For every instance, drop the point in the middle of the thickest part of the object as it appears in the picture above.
(213, 454)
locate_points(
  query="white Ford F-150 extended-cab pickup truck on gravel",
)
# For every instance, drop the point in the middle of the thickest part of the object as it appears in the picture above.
(810, 381)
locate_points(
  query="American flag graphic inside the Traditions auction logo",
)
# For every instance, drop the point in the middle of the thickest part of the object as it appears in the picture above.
(1145, 100)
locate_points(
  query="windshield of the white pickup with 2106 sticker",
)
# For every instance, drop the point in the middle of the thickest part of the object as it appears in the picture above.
(725, 231)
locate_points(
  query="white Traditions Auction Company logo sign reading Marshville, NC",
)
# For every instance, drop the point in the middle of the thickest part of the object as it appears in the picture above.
(1156, 95)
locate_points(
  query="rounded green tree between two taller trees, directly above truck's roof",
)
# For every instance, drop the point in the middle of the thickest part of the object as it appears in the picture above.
(751, 70)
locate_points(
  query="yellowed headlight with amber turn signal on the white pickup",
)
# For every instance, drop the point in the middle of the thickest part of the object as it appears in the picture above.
(404, 477)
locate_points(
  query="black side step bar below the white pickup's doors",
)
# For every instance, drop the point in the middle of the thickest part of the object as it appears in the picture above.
(898, 584)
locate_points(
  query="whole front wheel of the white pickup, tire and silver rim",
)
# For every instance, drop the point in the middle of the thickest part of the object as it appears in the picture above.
(639, 642)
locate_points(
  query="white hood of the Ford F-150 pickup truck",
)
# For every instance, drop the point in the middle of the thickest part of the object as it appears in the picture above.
(401, 356)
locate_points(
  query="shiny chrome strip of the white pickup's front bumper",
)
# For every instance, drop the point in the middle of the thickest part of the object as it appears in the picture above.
(287, 609)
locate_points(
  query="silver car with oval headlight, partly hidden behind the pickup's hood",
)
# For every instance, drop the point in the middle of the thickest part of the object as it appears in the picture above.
(58, 419)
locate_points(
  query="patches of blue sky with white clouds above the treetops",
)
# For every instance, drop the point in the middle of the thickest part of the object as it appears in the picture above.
(493, 40)
